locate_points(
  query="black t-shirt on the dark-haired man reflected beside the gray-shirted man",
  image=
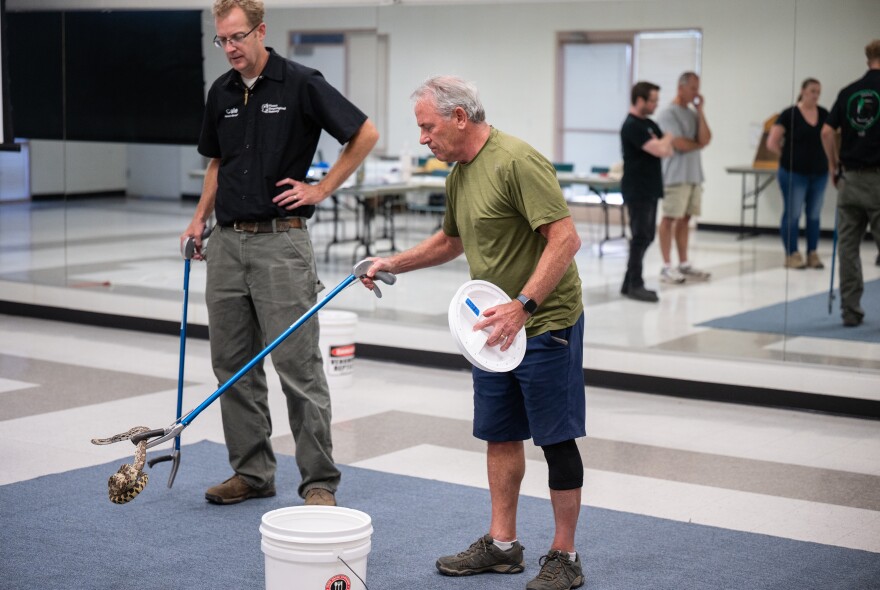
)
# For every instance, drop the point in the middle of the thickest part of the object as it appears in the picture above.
(642, 174)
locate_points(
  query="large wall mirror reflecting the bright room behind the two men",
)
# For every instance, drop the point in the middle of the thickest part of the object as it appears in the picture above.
(95, 227)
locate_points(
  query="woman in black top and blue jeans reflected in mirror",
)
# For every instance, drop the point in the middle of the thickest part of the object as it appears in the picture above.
(803, 171)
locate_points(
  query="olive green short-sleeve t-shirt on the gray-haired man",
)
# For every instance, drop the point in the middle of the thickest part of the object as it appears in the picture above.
(495, 203)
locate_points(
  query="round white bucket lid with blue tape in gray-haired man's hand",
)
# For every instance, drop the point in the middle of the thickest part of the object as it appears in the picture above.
(465, 309)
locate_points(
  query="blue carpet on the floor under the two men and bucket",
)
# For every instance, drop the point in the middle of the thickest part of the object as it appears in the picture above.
(61, 532)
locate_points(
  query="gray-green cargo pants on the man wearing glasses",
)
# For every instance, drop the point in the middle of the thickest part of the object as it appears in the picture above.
(257, 286)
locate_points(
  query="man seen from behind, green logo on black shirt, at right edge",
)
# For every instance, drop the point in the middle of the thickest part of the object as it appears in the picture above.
(856, 173)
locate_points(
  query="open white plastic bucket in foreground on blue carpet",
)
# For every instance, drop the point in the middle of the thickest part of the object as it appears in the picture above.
(305, 547)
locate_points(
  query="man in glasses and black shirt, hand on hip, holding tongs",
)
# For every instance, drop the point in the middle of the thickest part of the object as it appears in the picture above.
(262, 122)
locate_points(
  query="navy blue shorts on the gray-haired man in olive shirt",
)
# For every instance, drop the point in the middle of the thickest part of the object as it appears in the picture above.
(542, 399)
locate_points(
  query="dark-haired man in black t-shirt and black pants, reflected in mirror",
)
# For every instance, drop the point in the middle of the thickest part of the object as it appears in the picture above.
(644, 145)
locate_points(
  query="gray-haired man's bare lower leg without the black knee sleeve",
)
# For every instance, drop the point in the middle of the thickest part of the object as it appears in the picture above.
(506, 465)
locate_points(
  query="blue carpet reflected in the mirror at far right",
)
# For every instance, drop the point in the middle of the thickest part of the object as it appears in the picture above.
(809, 316)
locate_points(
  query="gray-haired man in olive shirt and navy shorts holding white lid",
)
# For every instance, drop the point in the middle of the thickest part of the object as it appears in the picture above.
(506, 213)
